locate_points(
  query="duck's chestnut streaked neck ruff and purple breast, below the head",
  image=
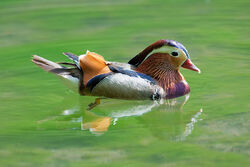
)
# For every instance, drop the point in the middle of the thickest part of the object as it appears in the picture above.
(168, 78)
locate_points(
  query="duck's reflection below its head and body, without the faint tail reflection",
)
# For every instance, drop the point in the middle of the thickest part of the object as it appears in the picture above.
(164, 119)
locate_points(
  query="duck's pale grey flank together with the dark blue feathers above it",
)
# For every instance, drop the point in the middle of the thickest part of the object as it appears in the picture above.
(125, 84)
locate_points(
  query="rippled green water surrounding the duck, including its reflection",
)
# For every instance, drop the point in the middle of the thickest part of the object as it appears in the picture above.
(42, 123)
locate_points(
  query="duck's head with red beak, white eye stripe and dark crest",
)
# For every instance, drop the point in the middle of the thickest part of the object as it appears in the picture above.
(168, 54)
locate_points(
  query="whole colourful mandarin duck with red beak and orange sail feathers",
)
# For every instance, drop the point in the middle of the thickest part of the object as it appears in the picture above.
(151, 74)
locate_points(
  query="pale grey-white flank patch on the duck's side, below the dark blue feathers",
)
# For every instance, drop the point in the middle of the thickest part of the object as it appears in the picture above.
(126, 87)
